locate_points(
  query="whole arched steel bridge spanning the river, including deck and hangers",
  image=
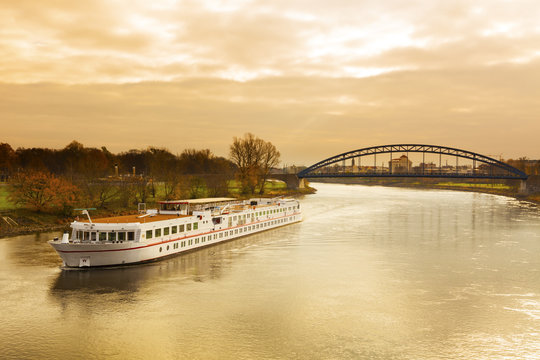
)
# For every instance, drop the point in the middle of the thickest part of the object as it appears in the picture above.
(477, 166)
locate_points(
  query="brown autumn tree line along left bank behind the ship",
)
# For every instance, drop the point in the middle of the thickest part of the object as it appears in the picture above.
(60, 179)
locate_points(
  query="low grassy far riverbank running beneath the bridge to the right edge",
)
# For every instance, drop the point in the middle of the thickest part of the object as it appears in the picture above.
(504, 189)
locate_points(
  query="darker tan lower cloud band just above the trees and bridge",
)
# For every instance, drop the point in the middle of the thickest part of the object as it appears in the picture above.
(302, 116)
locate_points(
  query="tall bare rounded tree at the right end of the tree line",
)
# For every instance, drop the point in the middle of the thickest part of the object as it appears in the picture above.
(254, 158)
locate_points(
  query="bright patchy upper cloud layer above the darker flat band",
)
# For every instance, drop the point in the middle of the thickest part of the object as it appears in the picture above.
(129, 41)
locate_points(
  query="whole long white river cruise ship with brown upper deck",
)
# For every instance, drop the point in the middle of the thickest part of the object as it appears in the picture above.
(177, 226)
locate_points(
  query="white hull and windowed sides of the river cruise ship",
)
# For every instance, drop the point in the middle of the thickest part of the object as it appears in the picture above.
(92, 253)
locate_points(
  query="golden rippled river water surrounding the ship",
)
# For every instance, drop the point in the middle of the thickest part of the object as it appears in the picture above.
(371, 273)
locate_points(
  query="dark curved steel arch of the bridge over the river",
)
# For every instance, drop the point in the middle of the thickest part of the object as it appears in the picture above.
(418, 148)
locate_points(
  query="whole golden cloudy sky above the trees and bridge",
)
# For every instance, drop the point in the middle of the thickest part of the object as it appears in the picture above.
(315, 78)
